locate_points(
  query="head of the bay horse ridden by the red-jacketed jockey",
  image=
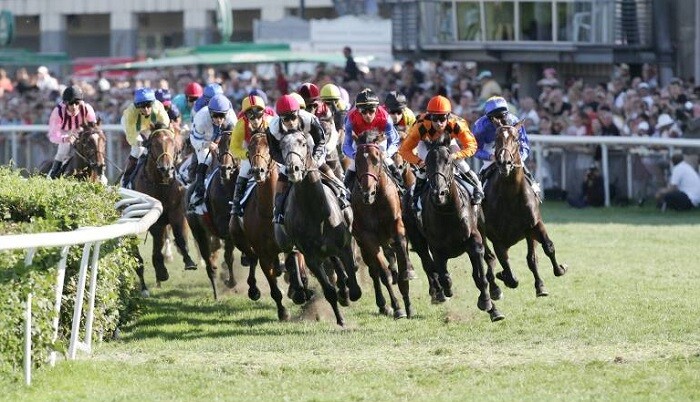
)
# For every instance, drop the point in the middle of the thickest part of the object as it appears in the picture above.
(368, 164)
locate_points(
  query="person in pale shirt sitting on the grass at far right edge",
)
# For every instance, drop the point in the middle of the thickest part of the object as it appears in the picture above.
(683, 191)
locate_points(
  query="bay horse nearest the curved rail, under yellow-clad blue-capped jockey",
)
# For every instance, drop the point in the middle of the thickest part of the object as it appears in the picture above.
(157, 179)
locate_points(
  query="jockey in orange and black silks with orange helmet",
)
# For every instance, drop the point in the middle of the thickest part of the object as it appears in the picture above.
(439, 120)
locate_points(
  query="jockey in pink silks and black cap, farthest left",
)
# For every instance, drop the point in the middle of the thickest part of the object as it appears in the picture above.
(66, 122)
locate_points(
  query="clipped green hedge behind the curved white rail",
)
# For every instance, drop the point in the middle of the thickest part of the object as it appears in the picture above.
(34, 205)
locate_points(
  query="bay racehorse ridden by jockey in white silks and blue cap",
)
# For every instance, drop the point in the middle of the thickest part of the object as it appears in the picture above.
(210, 228)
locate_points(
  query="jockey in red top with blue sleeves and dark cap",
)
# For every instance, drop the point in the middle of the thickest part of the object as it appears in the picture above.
(368, 116)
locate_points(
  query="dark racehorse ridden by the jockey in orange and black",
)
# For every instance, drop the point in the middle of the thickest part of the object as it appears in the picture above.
(449, 228)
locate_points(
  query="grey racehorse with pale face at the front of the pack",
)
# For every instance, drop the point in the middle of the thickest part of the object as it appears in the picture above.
(316, 225)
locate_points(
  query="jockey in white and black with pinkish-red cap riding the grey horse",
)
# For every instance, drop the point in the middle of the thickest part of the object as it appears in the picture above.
(291, 117)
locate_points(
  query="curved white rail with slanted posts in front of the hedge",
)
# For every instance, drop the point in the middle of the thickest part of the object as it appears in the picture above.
(138, 214)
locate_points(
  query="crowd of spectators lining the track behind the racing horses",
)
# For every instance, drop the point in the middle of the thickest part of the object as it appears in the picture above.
(620, 105)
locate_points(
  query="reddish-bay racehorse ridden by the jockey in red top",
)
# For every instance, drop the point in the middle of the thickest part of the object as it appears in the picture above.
(377, 223)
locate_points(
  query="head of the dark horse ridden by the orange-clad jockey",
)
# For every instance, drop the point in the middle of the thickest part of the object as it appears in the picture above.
(440, 172)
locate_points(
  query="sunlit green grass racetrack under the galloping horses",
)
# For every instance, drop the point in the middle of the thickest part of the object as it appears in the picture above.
(622, 324)
